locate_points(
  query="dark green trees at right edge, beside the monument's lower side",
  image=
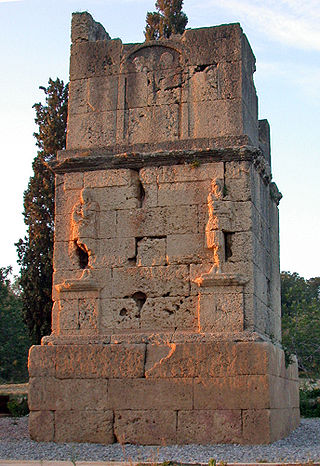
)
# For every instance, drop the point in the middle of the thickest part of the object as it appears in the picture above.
(300, 301)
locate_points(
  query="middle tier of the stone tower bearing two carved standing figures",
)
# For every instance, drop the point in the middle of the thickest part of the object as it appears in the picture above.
(155, 233)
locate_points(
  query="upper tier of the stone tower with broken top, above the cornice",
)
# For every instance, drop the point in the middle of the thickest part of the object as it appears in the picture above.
(182, 91)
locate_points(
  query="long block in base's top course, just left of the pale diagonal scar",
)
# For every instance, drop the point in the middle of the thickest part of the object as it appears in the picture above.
(98, 361)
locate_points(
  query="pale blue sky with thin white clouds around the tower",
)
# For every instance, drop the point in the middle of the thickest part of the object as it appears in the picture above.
(285, 38)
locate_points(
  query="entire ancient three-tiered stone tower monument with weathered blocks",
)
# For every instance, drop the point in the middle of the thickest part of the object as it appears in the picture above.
(166, 318)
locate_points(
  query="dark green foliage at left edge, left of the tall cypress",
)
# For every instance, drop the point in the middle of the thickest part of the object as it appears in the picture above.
(14, 340)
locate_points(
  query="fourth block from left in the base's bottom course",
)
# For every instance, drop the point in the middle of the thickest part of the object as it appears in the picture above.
(209, 426)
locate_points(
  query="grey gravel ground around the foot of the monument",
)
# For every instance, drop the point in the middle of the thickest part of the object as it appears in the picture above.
(301, 446)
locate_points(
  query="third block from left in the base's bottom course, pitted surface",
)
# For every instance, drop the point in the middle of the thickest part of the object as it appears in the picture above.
(147, 427)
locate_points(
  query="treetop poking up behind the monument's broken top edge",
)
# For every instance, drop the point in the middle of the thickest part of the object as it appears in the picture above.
(169, 19)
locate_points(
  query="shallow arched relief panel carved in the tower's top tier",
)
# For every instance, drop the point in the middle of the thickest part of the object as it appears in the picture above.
(153, 93)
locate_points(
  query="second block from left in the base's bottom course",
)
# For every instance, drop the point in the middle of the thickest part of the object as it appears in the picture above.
(84, 426)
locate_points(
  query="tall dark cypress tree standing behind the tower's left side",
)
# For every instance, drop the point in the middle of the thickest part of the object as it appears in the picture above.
(36, 249)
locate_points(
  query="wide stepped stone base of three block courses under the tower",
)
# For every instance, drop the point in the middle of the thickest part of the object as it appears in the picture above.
(201, 392)
